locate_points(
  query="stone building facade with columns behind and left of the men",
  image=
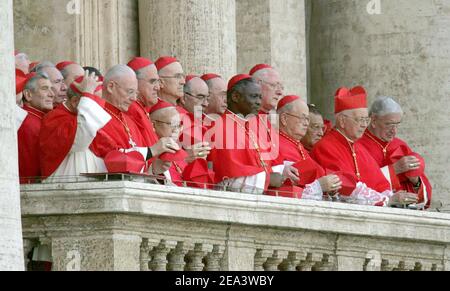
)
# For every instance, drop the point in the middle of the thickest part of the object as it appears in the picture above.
(399, 48)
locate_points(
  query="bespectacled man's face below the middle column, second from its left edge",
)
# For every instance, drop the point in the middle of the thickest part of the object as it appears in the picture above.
(173, 80)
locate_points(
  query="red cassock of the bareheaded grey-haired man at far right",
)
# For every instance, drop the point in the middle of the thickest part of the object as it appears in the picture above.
(387, 153)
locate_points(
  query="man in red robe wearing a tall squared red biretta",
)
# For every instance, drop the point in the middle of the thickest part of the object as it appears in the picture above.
(339, 151)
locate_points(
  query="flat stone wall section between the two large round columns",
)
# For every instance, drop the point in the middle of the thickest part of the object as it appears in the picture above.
(274, 32)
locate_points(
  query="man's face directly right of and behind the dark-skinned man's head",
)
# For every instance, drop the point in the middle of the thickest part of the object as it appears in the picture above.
(272, 90)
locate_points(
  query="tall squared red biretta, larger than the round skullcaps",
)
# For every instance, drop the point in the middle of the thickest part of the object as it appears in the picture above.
(346, 99)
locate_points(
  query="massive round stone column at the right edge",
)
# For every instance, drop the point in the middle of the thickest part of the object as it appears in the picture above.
(399, 49)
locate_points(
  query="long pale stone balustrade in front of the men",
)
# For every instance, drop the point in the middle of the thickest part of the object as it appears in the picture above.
(126, 225)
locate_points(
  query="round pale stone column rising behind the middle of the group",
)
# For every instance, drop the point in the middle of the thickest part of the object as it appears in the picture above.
(200, 33)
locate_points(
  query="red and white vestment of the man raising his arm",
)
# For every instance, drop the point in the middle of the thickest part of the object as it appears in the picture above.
(66, 136)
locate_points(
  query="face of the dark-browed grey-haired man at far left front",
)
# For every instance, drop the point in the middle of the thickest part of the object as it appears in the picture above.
(42, 97)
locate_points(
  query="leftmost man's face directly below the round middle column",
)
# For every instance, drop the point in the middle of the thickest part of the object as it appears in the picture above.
(149, 86)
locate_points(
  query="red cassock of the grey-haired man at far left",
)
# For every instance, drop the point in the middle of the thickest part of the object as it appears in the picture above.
(28, 142)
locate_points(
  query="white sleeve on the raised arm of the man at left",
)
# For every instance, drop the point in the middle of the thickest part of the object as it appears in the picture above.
(91, 118)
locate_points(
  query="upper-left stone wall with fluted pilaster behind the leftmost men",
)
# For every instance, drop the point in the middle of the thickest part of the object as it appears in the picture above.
(99, 33)
